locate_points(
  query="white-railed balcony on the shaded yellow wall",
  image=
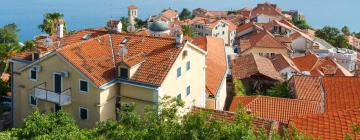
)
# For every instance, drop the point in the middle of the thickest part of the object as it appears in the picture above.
(62, 99)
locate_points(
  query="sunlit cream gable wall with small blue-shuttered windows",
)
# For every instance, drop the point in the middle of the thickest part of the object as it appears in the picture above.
(195, 77)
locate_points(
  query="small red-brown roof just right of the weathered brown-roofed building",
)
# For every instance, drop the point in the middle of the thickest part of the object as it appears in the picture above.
(281, 62)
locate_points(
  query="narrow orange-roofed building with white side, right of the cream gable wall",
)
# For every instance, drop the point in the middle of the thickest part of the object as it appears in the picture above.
(216, 71)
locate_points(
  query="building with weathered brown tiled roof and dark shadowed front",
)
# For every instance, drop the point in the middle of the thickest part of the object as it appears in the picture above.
(256, 73)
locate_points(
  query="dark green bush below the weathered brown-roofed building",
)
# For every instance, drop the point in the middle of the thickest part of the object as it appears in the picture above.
(280, 89)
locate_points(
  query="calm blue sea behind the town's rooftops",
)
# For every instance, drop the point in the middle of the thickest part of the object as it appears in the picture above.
(28, 14)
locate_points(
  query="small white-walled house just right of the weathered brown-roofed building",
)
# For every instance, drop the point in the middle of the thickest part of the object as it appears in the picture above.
(285, 66)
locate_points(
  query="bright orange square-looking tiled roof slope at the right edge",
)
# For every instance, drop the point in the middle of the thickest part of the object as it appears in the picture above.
(342, 93)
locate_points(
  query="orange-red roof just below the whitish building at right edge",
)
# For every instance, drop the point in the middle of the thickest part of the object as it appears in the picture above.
(319, 66)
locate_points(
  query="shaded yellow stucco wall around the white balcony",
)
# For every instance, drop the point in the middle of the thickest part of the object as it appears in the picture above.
(24, 87)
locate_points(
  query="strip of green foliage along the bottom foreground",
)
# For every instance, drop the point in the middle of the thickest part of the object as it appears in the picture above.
(159, 122)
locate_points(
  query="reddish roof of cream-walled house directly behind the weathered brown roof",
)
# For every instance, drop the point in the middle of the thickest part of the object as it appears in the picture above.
(264, 39)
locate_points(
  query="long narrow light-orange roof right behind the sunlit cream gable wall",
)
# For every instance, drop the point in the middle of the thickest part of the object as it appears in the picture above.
(215, 62)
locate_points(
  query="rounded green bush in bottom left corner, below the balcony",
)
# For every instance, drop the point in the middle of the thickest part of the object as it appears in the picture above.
(57, 125)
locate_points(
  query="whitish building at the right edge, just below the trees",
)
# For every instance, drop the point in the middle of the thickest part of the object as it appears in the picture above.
(345, 57)
